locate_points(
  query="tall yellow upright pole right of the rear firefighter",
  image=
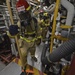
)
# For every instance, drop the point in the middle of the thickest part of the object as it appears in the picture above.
(54, 24)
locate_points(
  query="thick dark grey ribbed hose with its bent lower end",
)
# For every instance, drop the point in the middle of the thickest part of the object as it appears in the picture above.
(64, 50)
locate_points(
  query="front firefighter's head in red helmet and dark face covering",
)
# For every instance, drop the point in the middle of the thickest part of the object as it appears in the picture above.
(23, 8)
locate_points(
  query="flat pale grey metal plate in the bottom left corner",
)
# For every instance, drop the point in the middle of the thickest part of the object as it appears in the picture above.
(11, 69)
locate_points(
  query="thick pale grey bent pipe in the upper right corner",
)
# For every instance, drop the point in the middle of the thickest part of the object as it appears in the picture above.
(70, 10)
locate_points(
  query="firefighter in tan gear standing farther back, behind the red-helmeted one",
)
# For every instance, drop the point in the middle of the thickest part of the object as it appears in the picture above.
(44, 22)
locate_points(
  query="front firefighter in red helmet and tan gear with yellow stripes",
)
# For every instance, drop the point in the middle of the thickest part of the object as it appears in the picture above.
(29, 31)
